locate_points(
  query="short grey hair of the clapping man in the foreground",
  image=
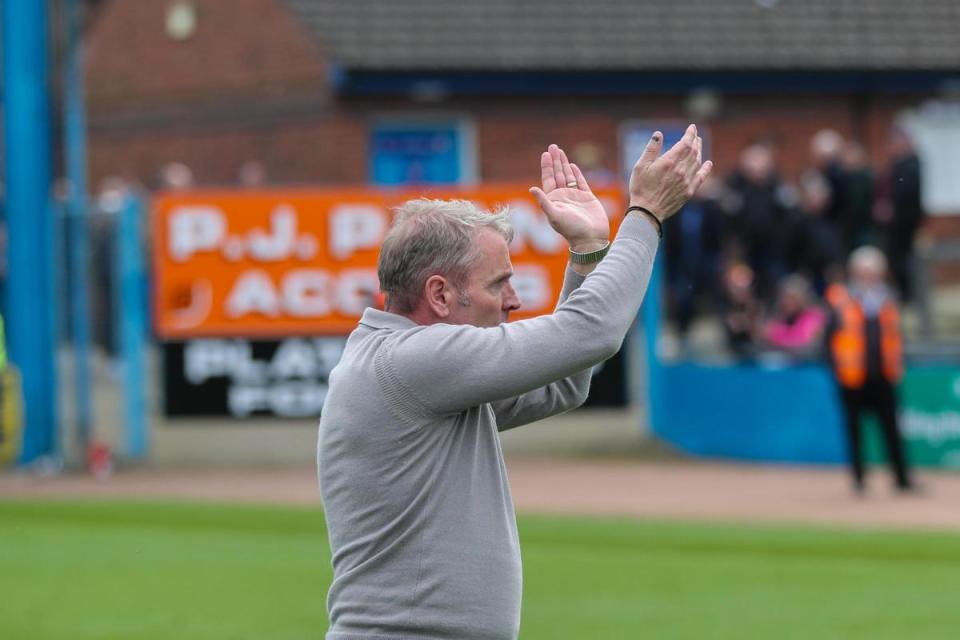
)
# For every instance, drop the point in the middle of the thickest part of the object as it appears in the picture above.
(433, 237)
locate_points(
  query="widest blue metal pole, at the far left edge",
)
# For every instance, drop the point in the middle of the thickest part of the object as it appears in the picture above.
(28, 177)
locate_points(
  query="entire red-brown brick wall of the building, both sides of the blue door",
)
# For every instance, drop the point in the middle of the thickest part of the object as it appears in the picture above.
(251, 84)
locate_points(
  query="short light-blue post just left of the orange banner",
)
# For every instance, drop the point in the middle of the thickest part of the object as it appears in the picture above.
(131, 320)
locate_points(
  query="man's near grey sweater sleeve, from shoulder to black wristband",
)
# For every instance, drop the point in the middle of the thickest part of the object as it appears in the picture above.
(448, 368)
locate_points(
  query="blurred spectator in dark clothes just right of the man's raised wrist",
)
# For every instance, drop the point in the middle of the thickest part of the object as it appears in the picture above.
(692, 253)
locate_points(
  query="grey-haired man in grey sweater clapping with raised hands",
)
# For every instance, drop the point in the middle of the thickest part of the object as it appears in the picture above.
(421, 522)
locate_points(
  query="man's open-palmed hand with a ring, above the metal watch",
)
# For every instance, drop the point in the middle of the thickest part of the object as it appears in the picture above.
(572, 209)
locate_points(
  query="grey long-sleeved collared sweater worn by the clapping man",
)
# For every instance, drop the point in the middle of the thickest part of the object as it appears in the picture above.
(421, 522)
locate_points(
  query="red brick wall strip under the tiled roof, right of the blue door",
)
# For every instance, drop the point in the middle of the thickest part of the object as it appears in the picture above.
(511, 132)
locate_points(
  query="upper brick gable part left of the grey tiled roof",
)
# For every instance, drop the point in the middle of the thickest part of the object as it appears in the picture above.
(250, 49)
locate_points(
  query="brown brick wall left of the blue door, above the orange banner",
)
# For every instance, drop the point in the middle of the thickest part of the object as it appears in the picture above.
(249, 84)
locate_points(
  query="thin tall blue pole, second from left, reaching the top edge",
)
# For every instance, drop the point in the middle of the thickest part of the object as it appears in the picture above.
(75, 136)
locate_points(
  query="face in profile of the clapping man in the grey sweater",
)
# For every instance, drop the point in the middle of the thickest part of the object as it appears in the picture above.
(488, 287)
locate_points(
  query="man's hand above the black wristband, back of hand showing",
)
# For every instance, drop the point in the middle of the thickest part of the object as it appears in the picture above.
(664, 184)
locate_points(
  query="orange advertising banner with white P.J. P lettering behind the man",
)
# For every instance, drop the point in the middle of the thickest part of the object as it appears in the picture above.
(274, 263)
